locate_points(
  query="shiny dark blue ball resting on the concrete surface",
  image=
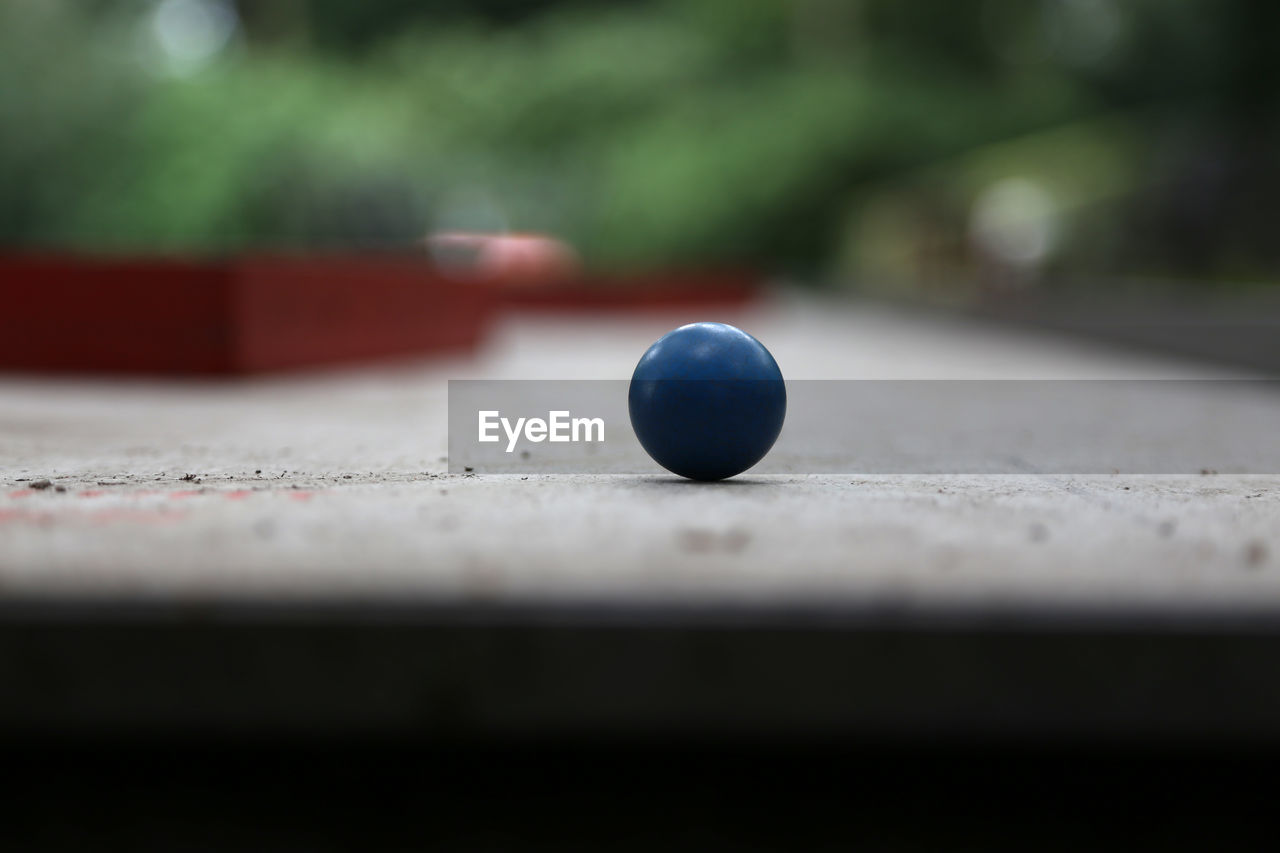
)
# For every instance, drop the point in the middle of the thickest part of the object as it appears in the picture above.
(707, 402)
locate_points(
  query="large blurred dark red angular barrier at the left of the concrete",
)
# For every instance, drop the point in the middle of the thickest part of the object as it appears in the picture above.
(237, 316)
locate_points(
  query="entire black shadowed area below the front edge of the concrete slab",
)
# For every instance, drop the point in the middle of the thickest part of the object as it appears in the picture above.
(356, 728)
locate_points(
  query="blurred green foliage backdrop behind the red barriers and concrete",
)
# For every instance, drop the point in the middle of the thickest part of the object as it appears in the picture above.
(943, 149)
